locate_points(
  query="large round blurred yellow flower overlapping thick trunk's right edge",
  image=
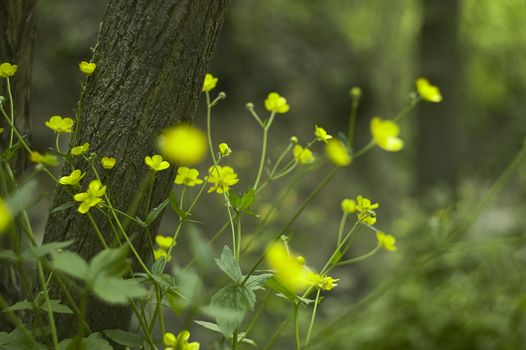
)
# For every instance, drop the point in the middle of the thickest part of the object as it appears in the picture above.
(183, 144)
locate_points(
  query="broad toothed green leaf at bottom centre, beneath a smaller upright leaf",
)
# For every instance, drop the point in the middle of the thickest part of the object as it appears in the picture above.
(229, 306)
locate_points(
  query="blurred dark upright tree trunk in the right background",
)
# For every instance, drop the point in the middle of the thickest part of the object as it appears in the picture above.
(437, 129)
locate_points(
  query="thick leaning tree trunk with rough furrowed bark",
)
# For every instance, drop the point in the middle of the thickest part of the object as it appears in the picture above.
(151, 59)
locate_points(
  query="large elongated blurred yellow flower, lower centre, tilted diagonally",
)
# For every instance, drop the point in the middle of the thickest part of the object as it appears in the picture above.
(288, 270)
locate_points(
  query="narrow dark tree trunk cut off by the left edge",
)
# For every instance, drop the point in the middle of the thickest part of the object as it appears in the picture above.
(17, 33)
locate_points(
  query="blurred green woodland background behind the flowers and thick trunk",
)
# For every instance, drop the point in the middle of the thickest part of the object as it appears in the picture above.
(457, 280)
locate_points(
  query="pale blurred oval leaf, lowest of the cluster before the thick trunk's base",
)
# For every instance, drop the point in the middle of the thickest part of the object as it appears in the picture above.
(115, 290)
